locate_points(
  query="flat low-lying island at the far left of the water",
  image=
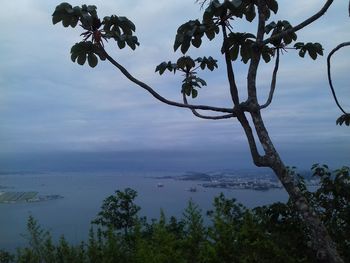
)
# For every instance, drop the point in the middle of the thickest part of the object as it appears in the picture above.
(25, 197)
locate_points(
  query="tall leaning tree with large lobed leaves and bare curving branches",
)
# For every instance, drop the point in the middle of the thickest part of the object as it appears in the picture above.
(271, 38)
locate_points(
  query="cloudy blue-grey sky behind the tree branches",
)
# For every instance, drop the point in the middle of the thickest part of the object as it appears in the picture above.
(50, 105)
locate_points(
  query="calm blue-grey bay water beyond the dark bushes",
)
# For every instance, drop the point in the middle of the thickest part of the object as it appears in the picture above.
(83, 194)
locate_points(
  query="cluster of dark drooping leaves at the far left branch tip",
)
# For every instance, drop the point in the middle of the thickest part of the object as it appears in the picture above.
(118, 28)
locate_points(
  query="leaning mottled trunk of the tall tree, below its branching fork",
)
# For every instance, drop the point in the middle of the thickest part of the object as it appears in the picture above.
(321, 241)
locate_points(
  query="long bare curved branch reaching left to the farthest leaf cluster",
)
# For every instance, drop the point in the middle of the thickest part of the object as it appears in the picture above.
(158, 96)
